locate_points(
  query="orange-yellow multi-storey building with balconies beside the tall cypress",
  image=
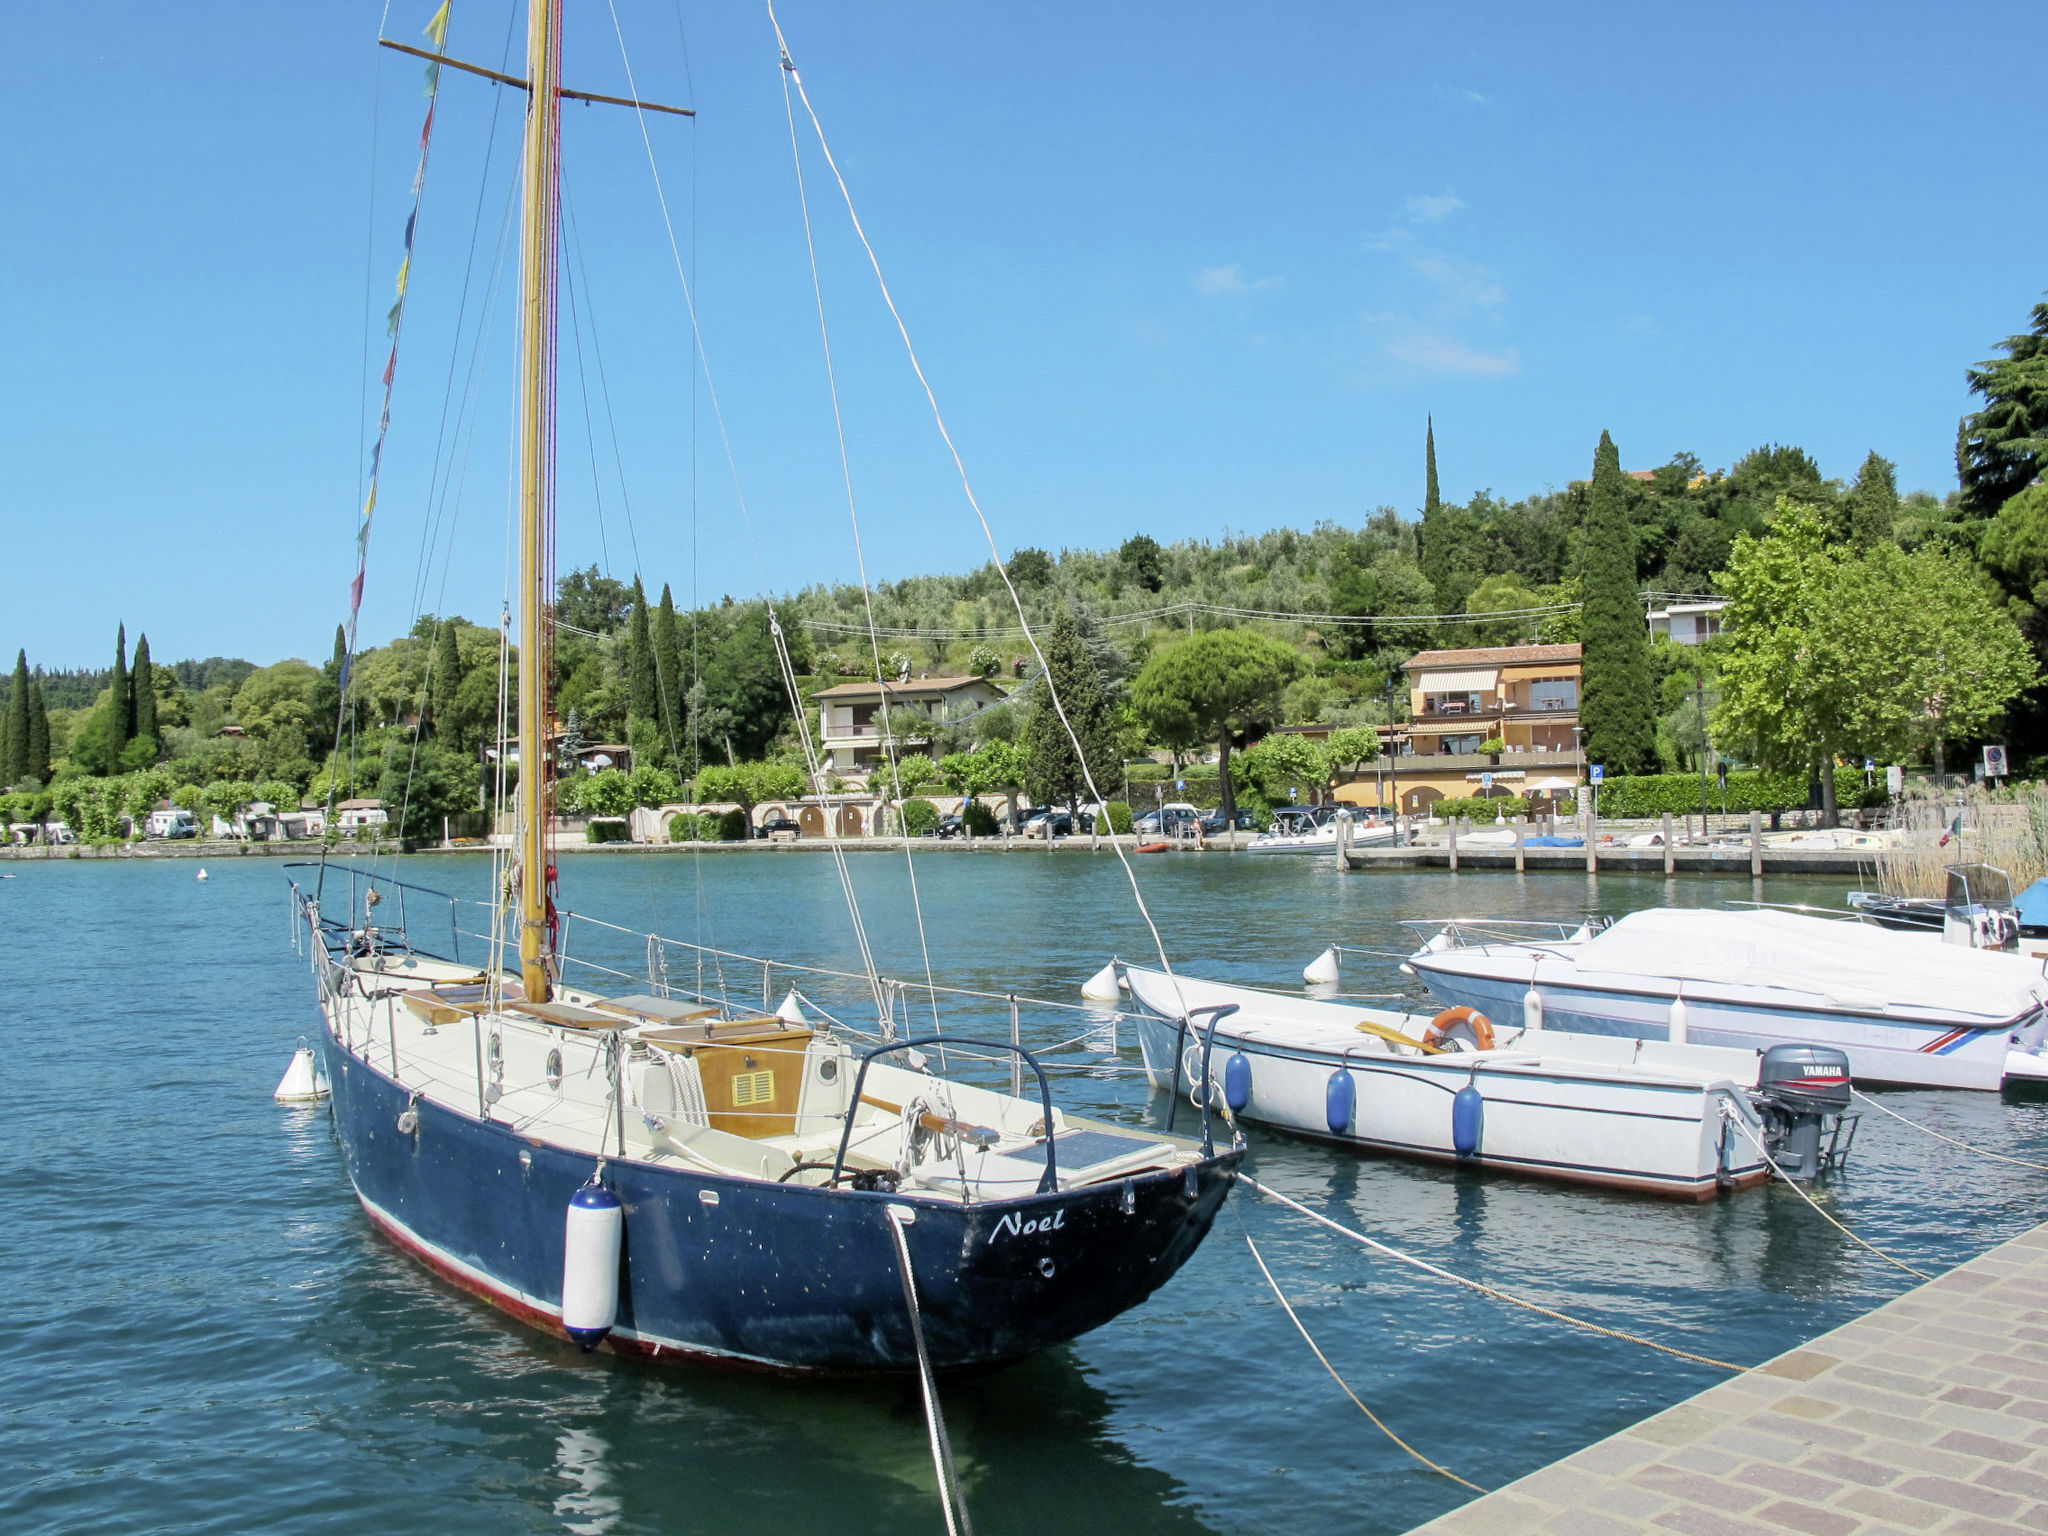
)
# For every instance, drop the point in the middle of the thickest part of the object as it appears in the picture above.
(1523, 701)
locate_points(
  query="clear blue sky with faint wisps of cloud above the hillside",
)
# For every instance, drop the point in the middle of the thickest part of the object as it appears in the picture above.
(1175, 269)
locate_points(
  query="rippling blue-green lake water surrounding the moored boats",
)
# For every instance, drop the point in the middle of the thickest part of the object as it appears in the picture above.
(210, 1338)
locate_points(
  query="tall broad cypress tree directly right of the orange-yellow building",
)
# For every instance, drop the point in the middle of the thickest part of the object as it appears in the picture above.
(1621, 726)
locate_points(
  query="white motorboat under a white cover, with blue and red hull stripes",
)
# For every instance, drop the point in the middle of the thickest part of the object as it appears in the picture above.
(1908, 1009)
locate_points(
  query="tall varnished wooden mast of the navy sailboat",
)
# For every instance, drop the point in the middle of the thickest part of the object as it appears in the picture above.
(538, 482)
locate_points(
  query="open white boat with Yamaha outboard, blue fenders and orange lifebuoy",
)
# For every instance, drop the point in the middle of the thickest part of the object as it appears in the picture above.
(1682, 1121)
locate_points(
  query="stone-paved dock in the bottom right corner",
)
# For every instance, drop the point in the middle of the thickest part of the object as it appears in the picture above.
(1926, 1416)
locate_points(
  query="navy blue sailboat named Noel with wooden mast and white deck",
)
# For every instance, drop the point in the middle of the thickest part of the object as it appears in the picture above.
(660, 1172)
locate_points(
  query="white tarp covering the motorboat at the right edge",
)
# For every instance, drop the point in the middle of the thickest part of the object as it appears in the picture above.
(1852, 966)
